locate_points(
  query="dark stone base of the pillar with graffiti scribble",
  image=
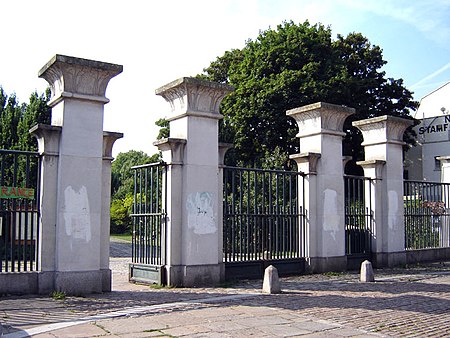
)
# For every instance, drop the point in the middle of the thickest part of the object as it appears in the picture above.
(195, 275)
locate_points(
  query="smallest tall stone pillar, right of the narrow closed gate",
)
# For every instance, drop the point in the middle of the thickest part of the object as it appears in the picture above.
(383, 148)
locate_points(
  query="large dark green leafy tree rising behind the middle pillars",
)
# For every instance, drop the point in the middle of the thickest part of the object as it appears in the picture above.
(295, 65)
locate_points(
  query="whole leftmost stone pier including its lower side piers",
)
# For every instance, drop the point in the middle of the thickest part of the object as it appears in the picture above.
(75, 193)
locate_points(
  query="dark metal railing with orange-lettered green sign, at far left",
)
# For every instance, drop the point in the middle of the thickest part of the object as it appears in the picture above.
(19, 210)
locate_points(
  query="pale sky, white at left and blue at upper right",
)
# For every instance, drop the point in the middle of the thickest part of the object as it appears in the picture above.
(160, 41)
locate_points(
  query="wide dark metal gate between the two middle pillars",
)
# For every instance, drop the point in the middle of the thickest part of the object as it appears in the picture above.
(264, 222)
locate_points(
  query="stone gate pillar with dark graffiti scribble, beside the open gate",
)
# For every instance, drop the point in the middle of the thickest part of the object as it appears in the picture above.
(193, 231)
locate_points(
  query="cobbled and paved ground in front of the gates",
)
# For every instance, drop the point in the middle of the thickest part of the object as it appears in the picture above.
(404, 302)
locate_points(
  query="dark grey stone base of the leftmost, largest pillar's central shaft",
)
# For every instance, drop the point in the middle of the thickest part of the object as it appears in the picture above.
(79, 282)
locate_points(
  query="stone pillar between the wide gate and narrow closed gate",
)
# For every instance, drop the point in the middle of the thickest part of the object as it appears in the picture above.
(320, 133)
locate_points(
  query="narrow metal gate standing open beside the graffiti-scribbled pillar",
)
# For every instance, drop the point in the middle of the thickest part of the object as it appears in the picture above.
(149, 224)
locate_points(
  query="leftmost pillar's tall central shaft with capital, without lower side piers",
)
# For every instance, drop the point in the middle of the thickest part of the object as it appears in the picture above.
(78, 98)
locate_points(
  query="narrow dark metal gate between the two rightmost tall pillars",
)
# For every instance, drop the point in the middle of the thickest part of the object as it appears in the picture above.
(358, 220)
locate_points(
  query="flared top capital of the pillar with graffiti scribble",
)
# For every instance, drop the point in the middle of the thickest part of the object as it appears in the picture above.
(192, 96)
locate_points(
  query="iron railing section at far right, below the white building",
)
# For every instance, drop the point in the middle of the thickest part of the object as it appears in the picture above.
(427, 216)
